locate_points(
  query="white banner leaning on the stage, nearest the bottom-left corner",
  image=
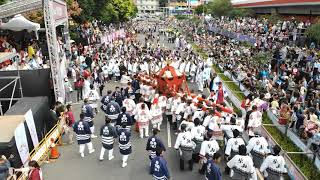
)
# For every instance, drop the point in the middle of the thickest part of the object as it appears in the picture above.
(22, 143)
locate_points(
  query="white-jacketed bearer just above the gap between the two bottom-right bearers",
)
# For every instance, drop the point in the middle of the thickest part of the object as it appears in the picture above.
(258, 147)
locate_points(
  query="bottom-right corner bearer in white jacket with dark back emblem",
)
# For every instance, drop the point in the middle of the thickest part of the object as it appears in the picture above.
(274, 163)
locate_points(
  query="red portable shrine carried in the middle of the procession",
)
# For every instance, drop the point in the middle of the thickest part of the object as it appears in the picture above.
(171, 82)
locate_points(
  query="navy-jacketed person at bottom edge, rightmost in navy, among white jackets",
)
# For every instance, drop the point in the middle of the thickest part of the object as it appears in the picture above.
(213, 171)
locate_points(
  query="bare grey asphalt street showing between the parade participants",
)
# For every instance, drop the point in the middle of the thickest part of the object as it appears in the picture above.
(71, 166)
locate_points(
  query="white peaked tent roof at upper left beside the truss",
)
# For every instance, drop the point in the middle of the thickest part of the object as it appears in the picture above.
(19, 23)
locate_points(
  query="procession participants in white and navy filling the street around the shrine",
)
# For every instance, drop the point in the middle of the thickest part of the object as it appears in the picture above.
(133, 61)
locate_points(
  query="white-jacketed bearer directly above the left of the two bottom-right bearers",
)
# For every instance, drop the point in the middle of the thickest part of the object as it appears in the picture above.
(233, 144)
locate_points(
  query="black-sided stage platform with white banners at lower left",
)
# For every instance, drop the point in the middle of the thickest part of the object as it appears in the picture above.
(22, 128)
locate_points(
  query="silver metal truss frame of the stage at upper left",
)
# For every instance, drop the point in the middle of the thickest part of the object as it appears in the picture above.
(22, 6)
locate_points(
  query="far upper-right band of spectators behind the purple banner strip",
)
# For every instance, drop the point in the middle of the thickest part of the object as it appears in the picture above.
(266, 32)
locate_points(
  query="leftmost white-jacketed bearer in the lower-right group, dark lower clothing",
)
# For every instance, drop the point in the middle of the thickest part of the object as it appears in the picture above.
(185, 146)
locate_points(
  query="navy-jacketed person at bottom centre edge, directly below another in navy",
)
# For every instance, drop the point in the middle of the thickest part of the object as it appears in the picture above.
(158, 168)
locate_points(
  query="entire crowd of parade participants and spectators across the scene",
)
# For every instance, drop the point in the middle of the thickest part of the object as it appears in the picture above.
(200, 121)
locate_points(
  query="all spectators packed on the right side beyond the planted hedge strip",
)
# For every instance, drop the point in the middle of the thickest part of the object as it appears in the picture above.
(287, 81)
